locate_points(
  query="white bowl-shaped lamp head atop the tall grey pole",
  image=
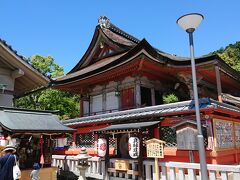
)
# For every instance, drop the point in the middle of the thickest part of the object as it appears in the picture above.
(190, 22)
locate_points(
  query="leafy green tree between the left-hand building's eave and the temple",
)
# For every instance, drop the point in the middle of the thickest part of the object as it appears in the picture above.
(50, 99)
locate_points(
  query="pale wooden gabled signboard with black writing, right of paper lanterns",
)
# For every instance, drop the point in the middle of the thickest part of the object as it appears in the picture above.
(155, 148)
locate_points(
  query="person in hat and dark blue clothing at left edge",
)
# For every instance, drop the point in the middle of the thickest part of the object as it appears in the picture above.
(7, 161)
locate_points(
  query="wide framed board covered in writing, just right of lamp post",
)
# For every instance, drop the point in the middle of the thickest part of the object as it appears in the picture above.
(223, 134)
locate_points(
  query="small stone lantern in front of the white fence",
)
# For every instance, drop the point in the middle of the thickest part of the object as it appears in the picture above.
(82, 158)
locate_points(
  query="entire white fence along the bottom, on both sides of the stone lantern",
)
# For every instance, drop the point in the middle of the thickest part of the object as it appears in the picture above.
(169, 170)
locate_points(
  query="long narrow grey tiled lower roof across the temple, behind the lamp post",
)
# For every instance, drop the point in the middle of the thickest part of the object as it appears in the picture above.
(151, 111)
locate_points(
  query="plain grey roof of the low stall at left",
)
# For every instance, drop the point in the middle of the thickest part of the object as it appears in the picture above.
(21, 120)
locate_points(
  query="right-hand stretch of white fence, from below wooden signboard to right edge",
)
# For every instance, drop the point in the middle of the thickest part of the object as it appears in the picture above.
(189, 171)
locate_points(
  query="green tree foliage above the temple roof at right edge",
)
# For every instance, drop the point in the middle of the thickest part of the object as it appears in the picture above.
(231, 55)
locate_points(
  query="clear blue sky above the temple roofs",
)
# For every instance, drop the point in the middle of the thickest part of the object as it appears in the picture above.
(64, 29)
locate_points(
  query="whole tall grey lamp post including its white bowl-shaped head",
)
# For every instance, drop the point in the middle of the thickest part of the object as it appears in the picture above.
(189, 23)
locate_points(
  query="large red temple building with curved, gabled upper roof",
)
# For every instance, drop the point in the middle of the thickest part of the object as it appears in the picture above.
(123, 81)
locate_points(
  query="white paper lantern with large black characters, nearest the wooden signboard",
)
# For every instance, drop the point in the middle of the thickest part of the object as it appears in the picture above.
(134, 147)
